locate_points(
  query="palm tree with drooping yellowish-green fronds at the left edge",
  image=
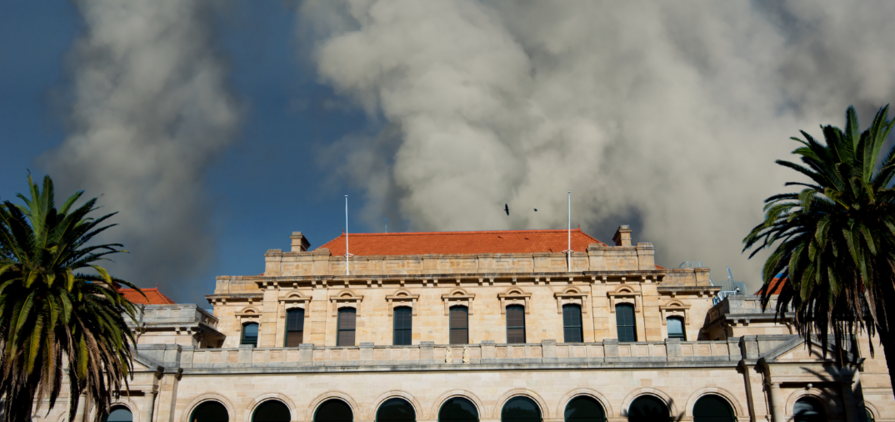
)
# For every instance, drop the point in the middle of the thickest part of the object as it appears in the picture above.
(55, 319)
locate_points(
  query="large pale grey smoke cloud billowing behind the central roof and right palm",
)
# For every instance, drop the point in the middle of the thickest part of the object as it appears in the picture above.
(669, 111)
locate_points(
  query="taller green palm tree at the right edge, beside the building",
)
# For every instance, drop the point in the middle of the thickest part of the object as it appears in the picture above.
(835, 239)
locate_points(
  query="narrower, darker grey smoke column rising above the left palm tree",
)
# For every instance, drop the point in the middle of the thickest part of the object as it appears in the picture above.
(150, 108)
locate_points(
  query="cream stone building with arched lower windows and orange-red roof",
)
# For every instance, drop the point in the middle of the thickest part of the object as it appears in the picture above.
(485, 326)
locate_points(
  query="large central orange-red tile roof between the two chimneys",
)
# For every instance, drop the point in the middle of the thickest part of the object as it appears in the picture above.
(449, 243)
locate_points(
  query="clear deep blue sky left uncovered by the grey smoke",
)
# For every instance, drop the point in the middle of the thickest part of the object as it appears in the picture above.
(264, 187)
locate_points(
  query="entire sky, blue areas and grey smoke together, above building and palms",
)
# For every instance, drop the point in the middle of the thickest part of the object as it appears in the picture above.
(666, 117)
